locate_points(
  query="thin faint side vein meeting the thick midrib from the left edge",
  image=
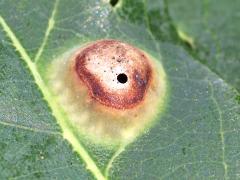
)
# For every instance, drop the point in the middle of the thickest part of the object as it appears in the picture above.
(28, 128)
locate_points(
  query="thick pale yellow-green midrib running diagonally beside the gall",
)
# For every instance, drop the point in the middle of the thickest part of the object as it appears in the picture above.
(56, 109)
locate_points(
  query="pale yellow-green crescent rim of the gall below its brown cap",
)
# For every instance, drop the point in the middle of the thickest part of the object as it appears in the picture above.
(98, 122)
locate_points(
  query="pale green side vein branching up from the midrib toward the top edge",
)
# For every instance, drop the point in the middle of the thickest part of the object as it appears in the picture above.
(51, 23)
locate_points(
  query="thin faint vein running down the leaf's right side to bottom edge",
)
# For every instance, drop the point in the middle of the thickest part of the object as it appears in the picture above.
(221, 131)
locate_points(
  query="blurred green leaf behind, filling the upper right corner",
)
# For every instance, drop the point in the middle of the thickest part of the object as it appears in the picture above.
(214, 28)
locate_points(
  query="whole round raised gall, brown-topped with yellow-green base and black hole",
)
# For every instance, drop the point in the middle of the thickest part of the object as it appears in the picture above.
(109, 89)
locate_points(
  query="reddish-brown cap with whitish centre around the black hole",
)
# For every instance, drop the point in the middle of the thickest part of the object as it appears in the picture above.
(98, 64)
